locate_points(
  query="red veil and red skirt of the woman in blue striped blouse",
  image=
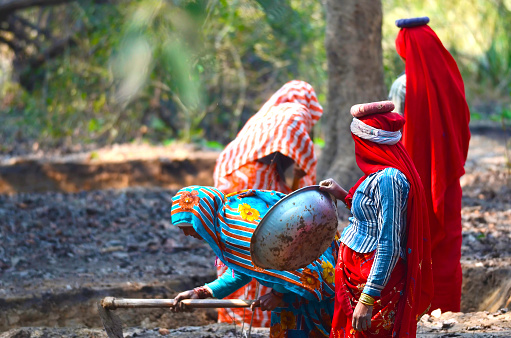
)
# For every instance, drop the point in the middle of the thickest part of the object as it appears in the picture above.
(416, 292)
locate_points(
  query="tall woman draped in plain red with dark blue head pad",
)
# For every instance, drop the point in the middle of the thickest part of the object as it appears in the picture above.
(436, 136)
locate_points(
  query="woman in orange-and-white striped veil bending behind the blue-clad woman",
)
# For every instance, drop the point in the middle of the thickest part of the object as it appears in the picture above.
(271, 141)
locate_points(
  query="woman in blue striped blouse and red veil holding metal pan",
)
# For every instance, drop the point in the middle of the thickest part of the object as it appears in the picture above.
(383, 276)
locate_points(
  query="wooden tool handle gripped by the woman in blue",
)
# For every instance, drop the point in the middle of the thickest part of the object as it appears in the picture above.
(112, 303)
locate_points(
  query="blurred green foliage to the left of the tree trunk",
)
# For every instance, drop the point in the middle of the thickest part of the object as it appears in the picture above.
(182, 69)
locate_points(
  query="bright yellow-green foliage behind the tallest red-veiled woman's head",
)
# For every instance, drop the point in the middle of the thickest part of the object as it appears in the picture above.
(476, 33)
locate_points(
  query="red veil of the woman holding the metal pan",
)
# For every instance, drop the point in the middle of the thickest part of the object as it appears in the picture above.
(372, 157)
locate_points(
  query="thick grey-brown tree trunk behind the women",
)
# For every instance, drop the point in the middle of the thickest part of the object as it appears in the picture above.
(355, 75)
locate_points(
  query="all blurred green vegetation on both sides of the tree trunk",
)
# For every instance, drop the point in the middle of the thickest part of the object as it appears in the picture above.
(94, 72)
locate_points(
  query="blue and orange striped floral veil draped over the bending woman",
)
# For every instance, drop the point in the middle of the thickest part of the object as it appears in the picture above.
(227, 226)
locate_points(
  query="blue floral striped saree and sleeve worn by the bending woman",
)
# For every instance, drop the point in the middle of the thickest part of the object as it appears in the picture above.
(227, 224)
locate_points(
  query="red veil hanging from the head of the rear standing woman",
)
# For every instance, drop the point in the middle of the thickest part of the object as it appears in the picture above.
(437, 134)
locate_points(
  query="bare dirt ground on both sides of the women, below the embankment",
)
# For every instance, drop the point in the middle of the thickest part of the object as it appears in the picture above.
(61, 252)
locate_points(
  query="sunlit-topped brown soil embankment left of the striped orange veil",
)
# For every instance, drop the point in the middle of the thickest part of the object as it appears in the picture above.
(116, 167)
